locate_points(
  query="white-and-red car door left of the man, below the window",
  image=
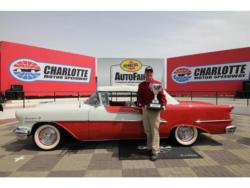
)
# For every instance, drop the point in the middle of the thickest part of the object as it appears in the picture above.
(115, 122)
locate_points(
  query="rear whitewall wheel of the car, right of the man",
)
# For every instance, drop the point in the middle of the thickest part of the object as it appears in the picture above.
(186, 135)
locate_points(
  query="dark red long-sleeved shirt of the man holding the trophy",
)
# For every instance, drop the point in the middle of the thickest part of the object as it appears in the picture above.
(145, 95)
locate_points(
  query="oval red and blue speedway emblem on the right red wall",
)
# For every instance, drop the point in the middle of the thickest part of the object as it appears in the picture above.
(181, 75)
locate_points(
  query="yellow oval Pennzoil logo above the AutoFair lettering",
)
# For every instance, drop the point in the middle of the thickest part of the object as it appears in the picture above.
(131, 65)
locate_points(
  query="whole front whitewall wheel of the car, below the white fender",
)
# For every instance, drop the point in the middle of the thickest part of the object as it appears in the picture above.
(47, 137)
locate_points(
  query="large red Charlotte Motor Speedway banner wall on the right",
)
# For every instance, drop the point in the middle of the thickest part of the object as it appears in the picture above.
(222, 71)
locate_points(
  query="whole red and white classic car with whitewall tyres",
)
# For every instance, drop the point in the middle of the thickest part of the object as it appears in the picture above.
(111, 114)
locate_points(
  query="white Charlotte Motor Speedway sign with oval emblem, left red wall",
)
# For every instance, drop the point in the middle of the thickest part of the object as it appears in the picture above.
(29, 70)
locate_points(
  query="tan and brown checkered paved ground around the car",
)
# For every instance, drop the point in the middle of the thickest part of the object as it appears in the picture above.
(223, 156)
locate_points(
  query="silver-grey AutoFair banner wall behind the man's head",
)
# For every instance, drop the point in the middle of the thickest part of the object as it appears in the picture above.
(128, 71)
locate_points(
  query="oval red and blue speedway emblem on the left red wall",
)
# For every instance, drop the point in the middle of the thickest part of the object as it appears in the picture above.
(25, 69)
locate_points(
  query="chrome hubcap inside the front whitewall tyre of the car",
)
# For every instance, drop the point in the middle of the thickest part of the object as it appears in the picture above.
(47, 136)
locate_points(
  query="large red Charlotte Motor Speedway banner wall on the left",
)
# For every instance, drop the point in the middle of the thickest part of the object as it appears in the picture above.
(42, 71)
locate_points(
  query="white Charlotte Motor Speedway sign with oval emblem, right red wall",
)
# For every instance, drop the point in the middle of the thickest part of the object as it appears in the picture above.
(211, 73)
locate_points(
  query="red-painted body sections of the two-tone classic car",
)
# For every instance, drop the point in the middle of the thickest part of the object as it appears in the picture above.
(206, 117)
